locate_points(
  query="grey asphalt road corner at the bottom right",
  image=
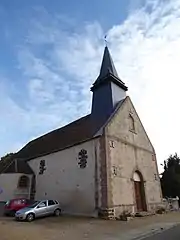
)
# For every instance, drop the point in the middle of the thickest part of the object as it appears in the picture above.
(173, 234)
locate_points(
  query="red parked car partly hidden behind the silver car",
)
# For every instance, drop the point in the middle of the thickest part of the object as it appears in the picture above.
(14, 205)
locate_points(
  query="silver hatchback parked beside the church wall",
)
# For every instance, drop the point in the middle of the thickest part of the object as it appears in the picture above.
(39, 209)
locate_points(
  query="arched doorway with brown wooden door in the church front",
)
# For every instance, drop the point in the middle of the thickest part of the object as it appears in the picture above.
(139, 192)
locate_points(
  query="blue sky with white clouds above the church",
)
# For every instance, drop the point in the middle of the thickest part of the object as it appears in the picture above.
(51, 53)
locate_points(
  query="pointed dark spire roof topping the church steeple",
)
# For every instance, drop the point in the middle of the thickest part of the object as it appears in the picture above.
(107, 72)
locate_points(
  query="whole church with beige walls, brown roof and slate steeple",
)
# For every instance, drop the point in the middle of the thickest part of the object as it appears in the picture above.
(99, 165)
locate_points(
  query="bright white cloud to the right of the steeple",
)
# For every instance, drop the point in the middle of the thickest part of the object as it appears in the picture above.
(148, 47)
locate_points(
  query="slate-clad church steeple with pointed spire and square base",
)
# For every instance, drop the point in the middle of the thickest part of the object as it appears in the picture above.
(108, 90)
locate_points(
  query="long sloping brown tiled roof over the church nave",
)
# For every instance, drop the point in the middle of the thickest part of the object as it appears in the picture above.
(67, 136)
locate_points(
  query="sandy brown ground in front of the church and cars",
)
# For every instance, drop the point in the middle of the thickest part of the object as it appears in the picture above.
(67, 228)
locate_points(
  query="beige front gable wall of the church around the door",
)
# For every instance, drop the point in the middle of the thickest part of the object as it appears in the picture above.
(130, 152)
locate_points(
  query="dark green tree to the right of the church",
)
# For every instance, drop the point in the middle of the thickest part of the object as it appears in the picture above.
(170, 180)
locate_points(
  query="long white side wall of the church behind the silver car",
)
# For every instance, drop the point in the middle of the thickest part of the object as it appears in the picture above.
(65, 181)
